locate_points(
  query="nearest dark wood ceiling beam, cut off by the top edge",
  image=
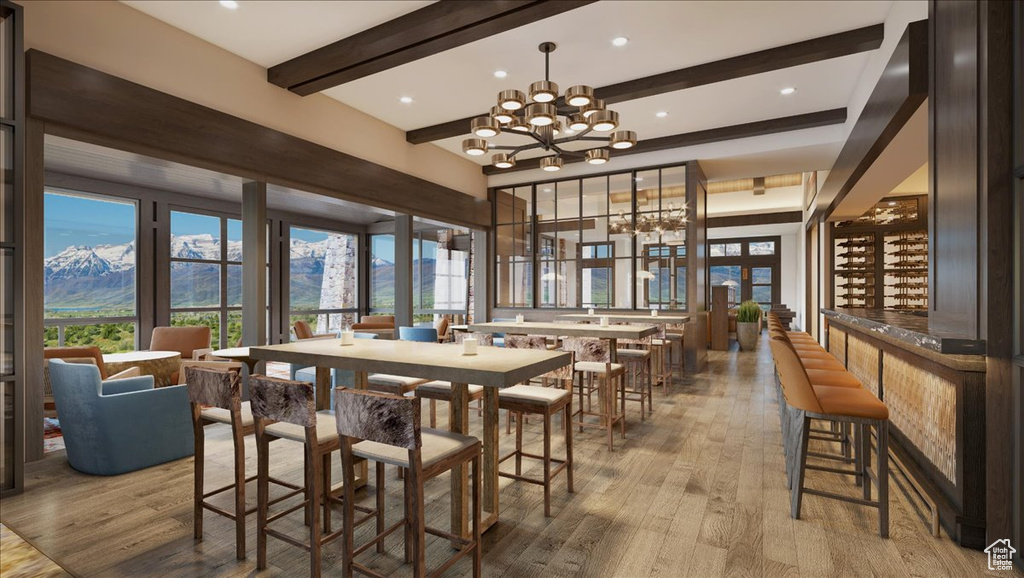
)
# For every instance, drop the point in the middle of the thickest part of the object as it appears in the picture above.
(431, 30)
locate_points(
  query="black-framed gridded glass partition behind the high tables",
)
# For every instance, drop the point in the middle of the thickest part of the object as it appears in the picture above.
(614, 241)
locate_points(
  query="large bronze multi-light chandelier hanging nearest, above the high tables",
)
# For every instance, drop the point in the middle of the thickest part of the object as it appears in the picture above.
(550, 122)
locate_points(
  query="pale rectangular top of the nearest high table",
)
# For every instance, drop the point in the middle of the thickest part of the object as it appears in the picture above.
(494, 367)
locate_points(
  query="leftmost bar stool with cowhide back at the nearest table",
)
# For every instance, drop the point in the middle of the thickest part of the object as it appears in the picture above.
(216, 397)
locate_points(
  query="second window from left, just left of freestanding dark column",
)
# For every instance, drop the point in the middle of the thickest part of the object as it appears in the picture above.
(206, 275)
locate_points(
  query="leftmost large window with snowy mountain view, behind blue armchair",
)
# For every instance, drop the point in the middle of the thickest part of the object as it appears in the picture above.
(90, 283)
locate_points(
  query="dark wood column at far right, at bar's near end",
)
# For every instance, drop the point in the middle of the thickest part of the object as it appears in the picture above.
(971, 217)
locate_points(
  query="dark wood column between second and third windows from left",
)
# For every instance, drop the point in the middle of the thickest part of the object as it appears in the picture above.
(253, 264)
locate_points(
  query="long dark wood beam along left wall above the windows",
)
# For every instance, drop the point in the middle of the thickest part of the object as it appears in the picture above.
(126, 115)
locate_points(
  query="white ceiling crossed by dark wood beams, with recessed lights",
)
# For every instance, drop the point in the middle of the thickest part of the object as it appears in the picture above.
(716, 68)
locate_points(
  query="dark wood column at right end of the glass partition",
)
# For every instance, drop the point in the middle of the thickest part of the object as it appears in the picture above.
(696, 338)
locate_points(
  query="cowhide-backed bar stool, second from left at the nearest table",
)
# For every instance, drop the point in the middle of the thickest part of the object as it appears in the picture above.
(287, 410)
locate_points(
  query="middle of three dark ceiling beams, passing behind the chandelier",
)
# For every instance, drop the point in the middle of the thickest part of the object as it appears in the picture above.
(817, 50)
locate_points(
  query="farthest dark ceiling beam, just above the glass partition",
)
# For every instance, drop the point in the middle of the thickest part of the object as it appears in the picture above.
(758, 129)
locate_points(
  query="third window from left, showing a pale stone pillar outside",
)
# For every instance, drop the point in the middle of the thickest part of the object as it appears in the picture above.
(323, 275)
